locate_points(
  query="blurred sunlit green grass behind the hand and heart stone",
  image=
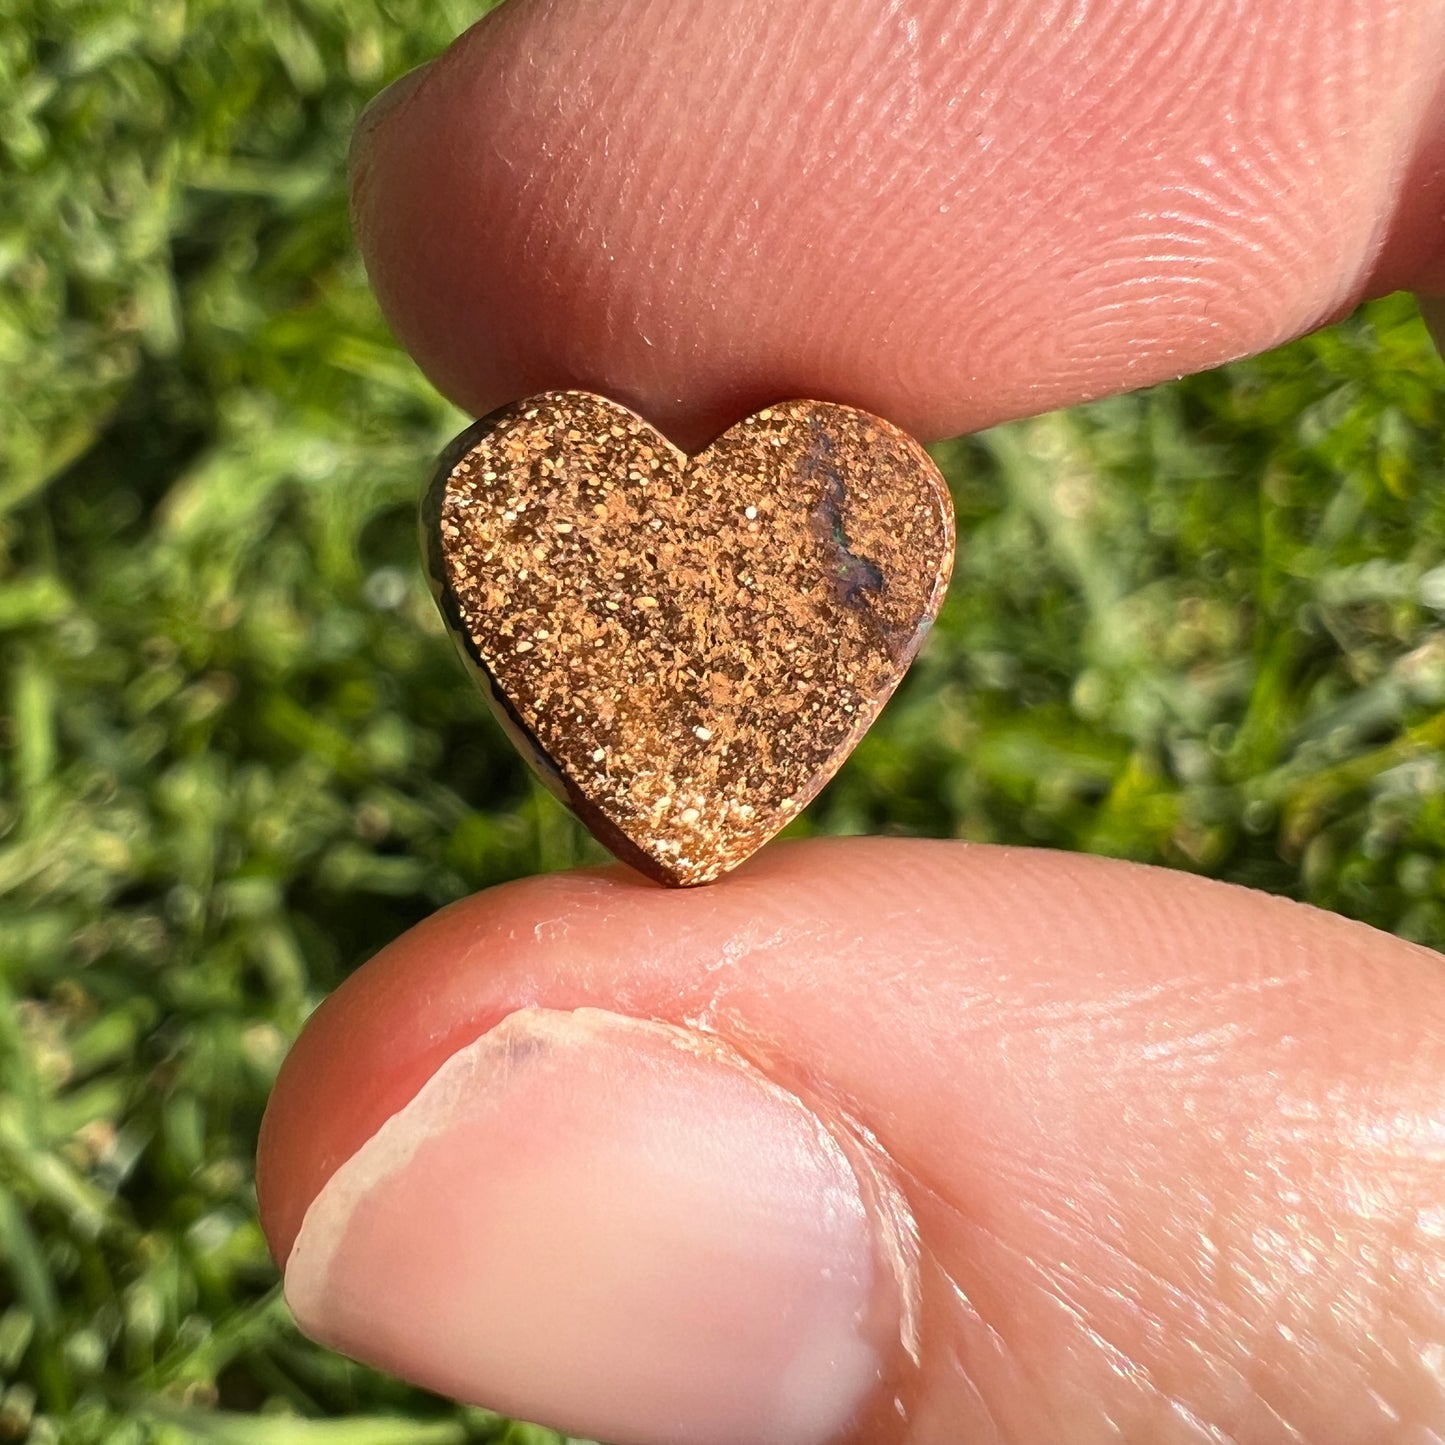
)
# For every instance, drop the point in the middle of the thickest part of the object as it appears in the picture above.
(1199, 626)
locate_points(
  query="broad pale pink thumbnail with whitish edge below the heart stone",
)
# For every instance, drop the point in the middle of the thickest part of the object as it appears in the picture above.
(613, 1228)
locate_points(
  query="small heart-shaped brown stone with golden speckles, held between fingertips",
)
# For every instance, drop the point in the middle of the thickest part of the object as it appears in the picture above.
(687, 648)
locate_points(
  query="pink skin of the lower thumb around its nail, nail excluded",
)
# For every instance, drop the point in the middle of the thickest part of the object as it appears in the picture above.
(1170, 1151)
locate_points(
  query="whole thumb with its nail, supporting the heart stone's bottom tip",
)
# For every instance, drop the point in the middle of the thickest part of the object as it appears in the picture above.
(882, 1142)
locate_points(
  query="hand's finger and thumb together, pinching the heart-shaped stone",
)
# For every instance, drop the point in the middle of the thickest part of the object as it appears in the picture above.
(1022, 1148)
